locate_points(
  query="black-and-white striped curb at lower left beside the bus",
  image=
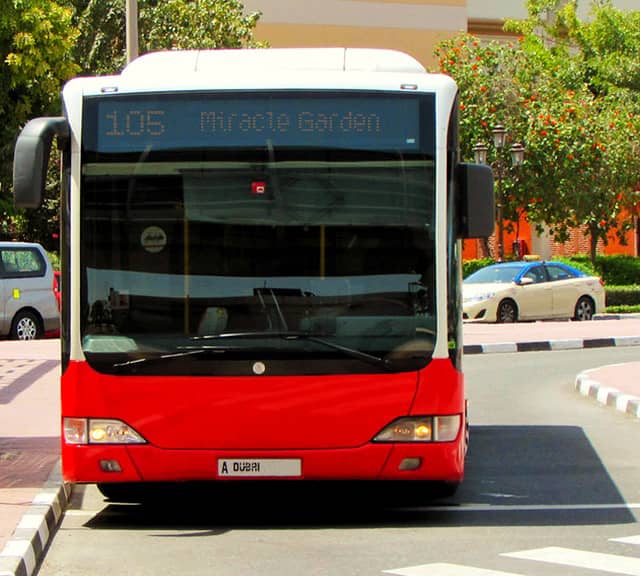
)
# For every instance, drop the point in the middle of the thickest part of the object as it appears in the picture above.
(25, 549)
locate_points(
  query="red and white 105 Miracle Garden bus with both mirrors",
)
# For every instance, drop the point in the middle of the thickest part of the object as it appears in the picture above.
(261, 267)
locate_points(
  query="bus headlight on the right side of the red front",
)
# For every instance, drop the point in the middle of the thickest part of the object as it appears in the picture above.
(421, 429)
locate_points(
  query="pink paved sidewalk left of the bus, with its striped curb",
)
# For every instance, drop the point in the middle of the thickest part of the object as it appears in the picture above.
(32, 495)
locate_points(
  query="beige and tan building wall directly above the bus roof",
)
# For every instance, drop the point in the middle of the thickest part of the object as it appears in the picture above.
(413, 26)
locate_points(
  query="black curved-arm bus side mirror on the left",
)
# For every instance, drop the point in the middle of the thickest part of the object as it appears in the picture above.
(31, 159)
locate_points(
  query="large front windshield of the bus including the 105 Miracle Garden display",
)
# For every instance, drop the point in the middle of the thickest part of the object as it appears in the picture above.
(240, 235)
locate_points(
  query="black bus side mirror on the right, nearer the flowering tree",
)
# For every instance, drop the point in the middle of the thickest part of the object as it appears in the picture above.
(477, 201)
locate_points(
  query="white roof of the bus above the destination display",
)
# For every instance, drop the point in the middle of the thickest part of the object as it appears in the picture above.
(263, 69)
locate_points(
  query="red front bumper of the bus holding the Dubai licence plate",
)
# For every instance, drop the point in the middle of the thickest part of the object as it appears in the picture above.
(146, 463)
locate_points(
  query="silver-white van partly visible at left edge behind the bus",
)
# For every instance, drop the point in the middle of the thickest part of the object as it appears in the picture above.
(28, 306)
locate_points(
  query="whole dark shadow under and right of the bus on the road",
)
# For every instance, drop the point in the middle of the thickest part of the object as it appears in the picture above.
(516, 475)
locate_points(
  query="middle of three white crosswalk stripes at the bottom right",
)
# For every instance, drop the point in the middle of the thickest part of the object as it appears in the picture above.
(579, 558)
